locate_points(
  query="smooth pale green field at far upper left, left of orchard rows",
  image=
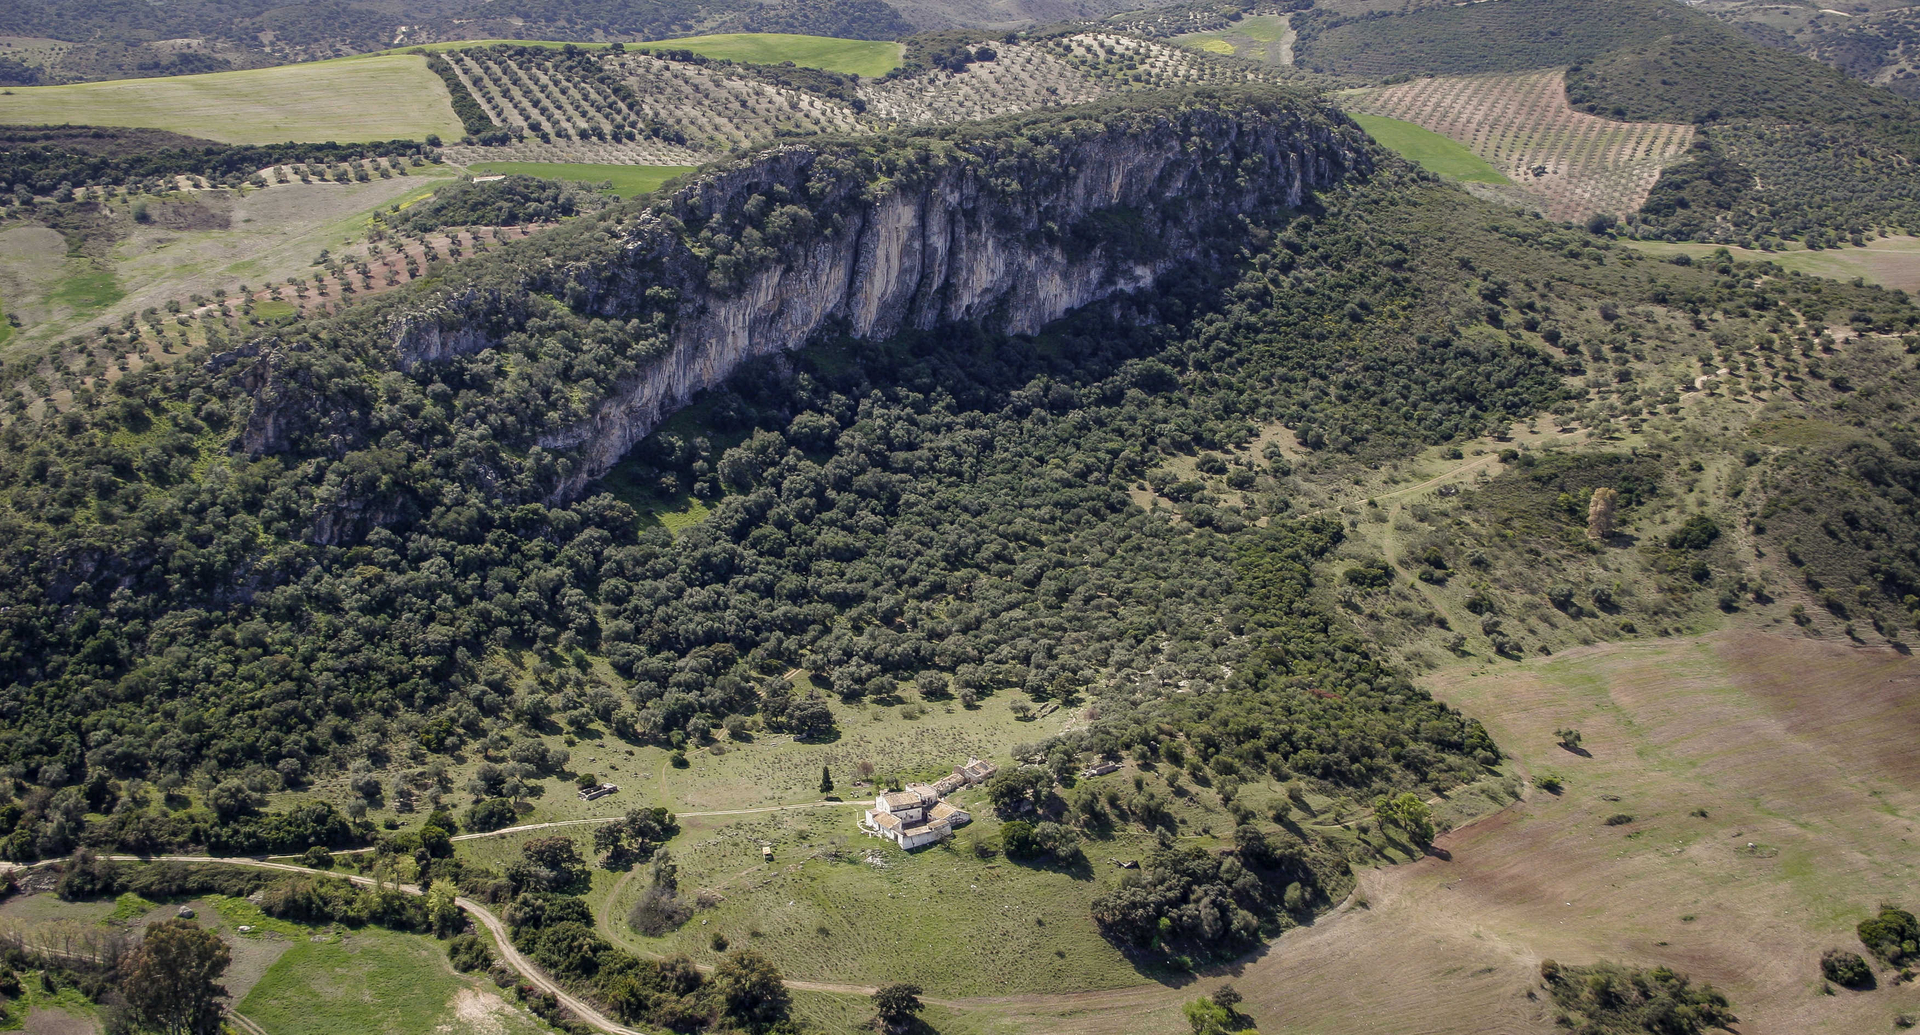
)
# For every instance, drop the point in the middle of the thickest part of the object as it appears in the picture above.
(347, 101)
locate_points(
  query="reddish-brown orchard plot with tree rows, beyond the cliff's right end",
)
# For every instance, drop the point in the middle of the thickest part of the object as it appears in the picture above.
(1577, 164)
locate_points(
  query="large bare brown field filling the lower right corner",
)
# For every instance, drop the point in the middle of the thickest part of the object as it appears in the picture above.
(1800, 754)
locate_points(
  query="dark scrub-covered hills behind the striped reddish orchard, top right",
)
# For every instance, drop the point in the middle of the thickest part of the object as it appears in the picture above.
(1787, 149)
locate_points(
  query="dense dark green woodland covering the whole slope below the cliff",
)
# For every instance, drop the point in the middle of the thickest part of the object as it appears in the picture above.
(946, 512)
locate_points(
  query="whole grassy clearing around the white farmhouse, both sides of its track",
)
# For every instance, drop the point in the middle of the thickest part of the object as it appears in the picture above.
(844, 909)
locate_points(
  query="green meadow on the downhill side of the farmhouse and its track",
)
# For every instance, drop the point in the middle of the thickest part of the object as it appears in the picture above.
(848, 909)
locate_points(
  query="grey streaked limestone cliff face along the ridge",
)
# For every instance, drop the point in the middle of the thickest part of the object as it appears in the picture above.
(997, 229)
